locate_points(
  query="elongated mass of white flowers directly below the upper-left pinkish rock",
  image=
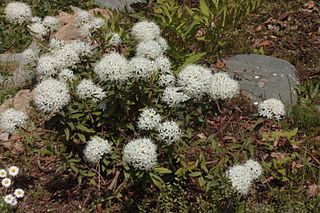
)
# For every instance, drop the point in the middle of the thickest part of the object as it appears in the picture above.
(68, 55)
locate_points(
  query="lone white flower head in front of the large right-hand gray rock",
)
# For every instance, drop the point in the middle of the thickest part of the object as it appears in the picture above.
(271, 108)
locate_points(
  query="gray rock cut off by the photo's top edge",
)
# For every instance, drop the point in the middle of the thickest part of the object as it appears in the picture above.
(119, 4)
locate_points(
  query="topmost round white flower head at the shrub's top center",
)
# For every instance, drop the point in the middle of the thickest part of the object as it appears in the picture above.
(145, 31)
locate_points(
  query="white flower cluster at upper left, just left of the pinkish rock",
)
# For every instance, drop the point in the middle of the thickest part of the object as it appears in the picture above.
(40, 28)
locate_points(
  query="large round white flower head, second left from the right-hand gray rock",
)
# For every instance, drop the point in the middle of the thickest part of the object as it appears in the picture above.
(195, 80)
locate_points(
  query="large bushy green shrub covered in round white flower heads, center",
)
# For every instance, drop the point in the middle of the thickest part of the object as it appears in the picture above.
(127, 107)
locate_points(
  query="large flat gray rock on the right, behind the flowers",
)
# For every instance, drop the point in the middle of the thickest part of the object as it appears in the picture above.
(263, 77)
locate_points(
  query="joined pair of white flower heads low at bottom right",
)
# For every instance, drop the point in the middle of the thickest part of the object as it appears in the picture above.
(242, 176)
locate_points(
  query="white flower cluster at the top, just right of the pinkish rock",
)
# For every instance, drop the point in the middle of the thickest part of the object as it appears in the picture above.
(87, 23)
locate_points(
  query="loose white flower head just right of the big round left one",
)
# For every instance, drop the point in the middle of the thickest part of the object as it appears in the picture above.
(87, 89)
